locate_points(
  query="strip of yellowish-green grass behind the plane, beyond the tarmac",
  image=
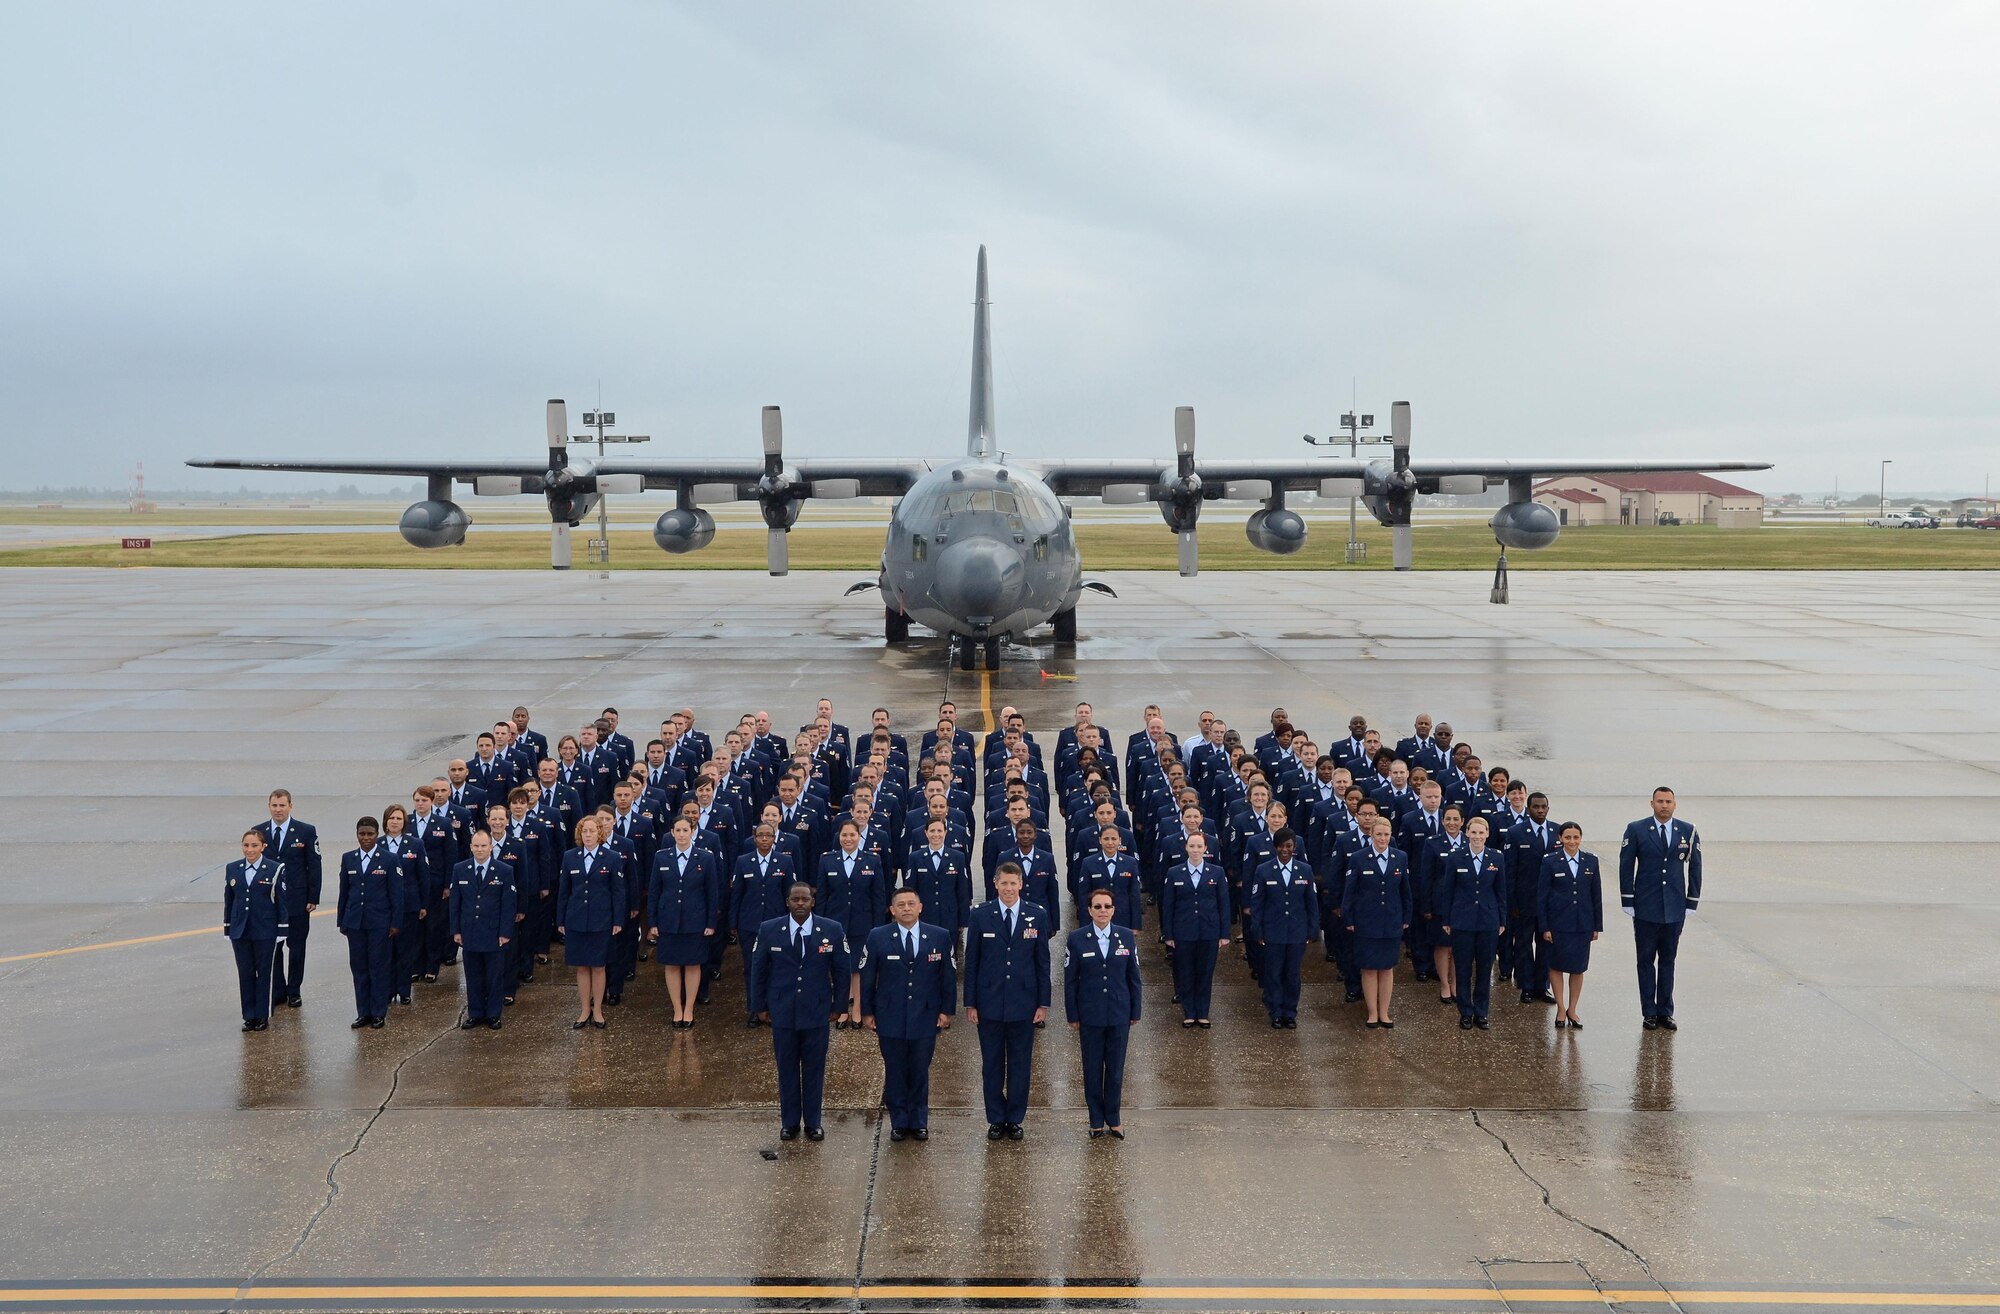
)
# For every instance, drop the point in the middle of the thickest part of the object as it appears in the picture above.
(1107, 547)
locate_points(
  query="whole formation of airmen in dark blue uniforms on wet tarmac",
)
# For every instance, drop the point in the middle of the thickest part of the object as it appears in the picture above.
(869, 883)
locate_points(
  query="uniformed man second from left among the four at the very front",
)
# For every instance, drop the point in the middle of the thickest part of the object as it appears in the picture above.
(909, 997)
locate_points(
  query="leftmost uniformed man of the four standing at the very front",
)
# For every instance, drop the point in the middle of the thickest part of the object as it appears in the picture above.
(799, 985)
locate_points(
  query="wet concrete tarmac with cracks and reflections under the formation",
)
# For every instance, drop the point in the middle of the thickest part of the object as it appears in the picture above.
(1821, 1133)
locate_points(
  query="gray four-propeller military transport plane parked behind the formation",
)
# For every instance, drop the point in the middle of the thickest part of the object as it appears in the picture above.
(981, 547)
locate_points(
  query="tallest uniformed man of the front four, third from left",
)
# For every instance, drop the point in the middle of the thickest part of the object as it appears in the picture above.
(1007, 995)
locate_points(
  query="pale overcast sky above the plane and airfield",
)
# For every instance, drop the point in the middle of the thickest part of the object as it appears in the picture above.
(1603, 229)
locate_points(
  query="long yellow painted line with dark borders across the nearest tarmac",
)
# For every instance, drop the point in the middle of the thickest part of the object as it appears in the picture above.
(945, 1293)
